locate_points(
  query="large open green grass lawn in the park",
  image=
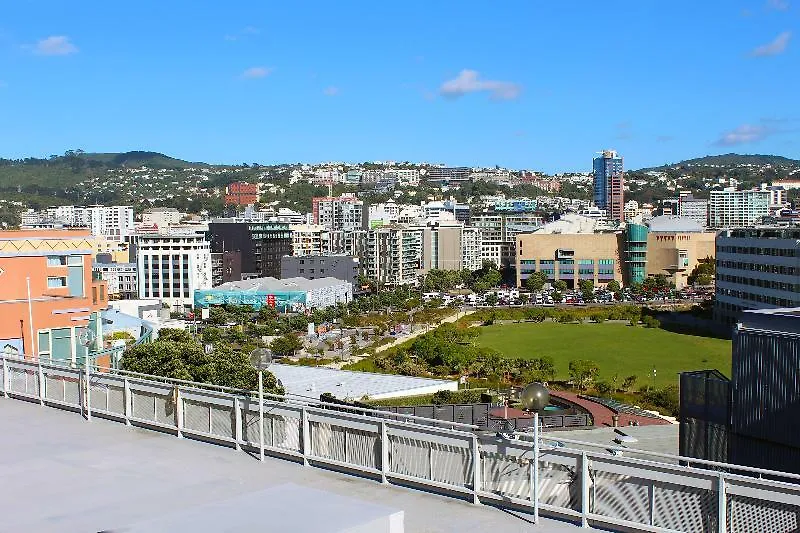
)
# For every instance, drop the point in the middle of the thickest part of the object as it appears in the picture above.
(616, 348)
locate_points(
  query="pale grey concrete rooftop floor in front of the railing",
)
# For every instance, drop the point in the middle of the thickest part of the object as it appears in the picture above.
(63, 474)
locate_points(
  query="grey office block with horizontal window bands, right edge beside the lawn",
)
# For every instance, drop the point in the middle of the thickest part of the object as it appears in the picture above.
(757, 268)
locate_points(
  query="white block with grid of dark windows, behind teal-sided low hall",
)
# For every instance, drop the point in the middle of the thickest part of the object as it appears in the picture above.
(172, 267)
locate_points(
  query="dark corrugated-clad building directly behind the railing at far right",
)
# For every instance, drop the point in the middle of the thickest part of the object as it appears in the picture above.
(753, 417)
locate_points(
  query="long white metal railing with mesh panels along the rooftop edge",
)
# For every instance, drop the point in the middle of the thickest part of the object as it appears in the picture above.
(593, 484)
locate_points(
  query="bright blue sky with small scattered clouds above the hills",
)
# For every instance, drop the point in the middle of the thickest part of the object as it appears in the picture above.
(529, 84)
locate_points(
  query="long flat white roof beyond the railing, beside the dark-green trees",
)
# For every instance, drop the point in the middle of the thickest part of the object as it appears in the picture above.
(312, 381)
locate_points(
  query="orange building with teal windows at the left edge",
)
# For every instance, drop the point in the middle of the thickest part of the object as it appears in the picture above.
(48, 297)
